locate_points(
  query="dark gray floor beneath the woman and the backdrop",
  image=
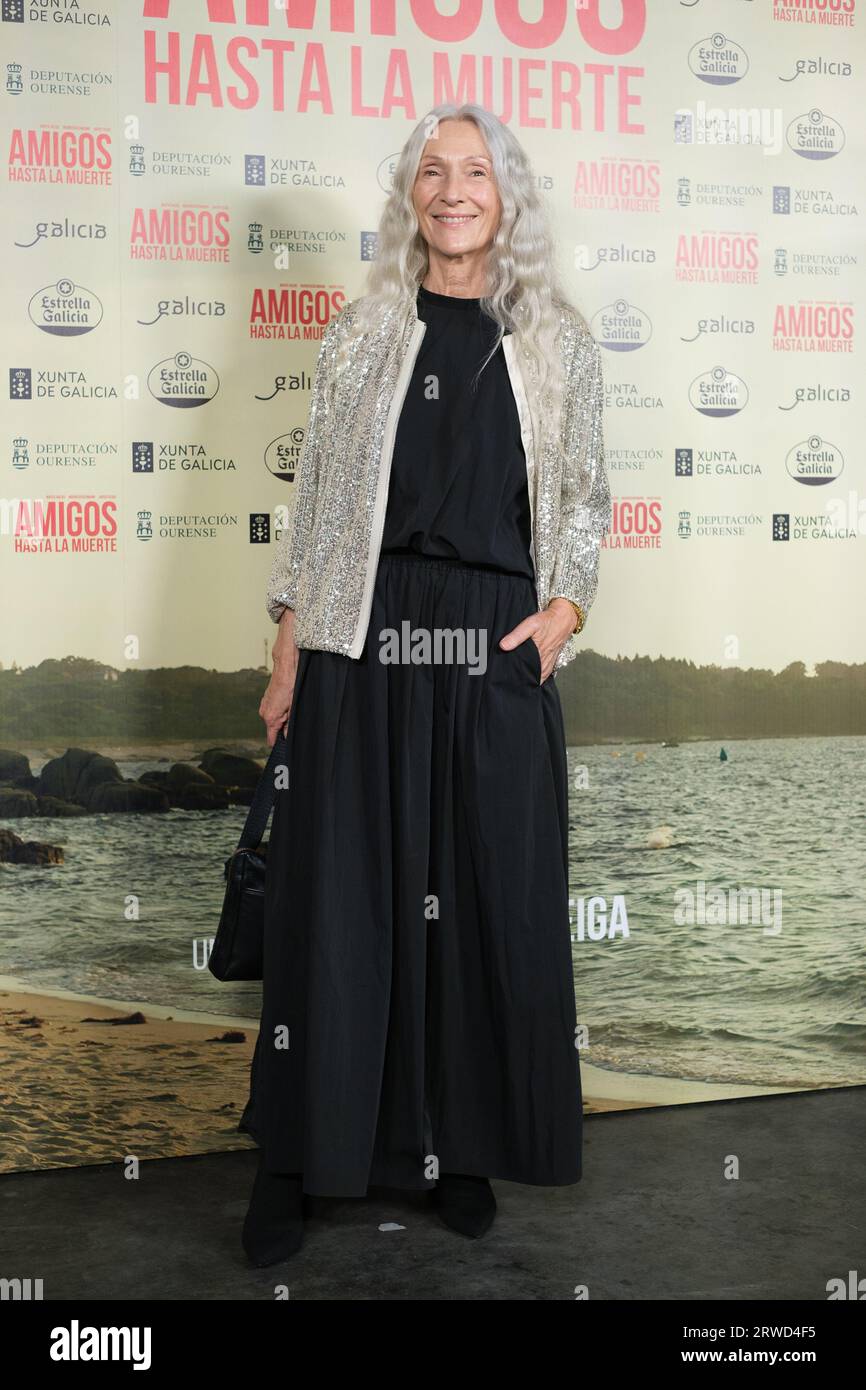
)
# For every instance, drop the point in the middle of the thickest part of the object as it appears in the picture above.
(654, 1218)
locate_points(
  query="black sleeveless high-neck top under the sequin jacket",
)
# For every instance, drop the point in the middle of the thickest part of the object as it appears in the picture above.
(458, 486)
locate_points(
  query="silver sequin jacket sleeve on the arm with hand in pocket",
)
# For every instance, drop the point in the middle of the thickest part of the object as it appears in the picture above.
(586, 509)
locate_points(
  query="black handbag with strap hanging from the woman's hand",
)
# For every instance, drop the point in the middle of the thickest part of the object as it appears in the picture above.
(238, 946)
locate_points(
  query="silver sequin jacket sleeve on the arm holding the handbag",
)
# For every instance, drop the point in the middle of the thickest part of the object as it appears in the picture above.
(294, 540)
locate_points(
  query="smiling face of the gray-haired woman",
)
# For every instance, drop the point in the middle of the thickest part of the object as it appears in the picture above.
(455, 195)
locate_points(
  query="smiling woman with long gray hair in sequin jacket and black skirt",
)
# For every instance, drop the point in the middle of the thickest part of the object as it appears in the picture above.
(418, 1025)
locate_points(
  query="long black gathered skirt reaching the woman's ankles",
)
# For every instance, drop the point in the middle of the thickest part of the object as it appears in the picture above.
(418, 997)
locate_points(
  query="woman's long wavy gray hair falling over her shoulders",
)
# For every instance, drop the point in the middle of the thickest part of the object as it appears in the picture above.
(525, 293)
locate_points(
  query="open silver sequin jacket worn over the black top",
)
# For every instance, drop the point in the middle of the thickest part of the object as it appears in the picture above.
(327, 555)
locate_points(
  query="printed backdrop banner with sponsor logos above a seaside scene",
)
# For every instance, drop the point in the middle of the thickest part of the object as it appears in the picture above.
(193, 193)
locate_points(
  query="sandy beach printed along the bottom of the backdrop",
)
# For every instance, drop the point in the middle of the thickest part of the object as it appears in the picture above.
(80, 1089)
